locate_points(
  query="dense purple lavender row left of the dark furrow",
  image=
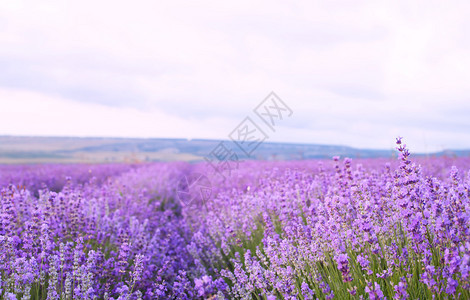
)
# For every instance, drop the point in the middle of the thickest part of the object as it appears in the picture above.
(124, 238)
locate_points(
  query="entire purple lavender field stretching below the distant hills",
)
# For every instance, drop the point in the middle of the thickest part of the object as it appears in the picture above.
(319, 229)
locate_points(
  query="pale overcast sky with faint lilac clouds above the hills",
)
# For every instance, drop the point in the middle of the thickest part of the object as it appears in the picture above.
(354, 73)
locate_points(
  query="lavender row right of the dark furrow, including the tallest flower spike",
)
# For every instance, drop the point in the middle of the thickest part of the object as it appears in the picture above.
(398, 230)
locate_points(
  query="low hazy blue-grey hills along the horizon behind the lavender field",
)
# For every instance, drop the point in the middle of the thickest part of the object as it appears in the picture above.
(14, 149)
